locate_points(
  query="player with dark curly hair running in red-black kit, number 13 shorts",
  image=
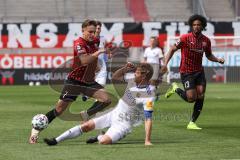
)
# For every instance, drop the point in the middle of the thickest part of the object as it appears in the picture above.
(193, 45)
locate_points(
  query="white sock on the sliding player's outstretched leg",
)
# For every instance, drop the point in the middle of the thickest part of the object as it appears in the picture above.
(71, 133)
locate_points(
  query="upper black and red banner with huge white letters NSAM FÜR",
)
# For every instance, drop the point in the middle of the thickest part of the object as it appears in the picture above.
(58, 35)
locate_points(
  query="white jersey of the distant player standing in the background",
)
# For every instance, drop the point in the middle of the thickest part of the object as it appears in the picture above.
(153, 55)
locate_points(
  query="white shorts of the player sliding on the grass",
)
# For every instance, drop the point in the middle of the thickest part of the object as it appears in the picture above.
(117, 130)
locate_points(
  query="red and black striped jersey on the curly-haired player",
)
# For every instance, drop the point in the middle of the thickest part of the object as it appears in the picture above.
(192, 49)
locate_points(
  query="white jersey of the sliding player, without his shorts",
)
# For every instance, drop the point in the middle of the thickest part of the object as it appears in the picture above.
(135, 100)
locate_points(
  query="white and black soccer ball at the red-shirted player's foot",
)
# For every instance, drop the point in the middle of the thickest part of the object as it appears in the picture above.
(40, 121)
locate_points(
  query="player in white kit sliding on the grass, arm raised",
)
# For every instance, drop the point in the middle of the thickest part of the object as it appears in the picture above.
(138, 98)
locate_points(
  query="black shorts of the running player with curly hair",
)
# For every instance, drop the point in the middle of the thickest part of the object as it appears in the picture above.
(191, 80)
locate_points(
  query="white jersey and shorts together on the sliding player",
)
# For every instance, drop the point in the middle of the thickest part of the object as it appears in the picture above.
(128, 112)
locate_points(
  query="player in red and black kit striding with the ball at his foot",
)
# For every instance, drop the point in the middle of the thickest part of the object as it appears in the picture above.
(80, 80)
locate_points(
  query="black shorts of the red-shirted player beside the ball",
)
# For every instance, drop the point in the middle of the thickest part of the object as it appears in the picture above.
(72, 89)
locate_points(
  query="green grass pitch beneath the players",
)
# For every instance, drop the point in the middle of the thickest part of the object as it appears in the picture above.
(219, 139)
